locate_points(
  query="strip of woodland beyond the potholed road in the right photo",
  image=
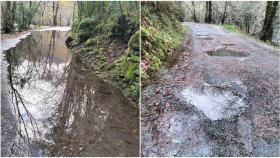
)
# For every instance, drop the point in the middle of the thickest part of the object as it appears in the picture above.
(260, 19)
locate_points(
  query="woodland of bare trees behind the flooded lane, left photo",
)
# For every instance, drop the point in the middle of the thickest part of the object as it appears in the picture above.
(21, 15)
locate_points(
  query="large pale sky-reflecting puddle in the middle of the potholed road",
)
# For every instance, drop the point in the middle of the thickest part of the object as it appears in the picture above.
(215, 103)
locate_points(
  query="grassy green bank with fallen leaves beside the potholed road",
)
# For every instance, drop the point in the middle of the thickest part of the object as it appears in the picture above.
(161, 34)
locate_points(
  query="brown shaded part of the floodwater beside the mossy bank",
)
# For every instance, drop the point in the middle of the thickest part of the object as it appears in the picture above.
(93, 118)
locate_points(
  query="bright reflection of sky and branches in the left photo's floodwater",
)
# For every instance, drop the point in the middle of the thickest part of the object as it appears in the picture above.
(35, 72)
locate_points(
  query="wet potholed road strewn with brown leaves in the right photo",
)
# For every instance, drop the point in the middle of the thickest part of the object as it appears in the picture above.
(221, 98)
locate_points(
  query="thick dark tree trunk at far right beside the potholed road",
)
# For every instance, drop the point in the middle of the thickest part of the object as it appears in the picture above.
(267, 30)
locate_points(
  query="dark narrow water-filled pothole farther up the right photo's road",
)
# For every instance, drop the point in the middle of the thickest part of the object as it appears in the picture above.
(226, 52)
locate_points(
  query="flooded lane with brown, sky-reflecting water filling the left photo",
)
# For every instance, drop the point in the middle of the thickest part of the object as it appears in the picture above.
(58, 107)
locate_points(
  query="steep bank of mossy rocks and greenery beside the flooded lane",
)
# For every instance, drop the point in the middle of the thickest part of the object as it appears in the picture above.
(106, 35)
